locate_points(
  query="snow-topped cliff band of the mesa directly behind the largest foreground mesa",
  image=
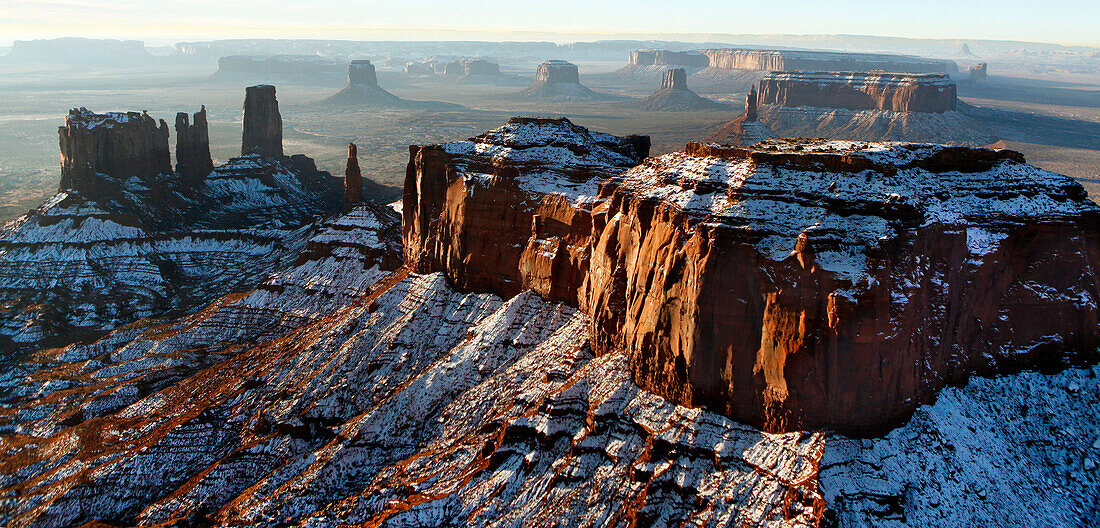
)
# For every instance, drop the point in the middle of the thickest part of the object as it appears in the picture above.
(861, 91)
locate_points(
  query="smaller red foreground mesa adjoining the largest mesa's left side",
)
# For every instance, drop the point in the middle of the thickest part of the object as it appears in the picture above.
(532, 175)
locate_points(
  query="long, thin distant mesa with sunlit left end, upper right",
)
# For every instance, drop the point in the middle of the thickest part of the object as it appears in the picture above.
(787, 60)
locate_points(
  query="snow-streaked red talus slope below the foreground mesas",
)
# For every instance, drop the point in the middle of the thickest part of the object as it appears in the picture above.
(340, 393)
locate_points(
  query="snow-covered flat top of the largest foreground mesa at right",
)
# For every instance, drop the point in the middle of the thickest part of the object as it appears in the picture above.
(851, 196)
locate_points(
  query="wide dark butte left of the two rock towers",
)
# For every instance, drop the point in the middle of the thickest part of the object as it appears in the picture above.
(117, 145)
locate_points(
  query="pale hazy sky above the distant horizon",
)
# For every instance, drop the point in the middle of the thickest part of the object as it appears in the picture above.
(162, 23)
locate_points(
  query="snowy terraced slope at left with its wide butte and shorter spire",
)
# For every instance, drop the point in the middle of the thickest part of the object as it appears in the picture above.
(127, 239)
